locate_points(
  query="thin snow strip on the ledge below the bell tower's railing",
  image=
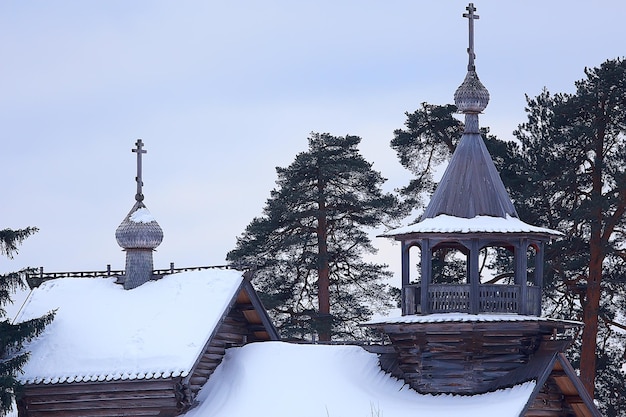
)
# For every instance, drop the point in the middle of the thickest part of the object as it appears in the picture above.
(465, 317)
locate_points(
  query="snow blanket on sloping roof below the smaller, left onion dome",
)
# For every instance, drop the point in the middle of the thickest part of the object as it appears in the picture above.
(103, 332)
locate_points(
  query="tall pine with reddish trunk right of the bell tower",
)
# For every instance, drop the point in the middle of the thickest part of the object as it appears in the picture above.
(575, 147)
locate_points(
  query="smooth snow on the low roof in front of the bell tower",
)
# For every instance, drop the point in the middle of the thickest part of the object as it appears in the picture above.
(283, 380)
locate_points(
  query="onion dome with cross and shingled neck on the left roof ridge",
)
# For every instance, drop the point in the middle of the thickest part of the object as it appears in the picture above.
(139, 234)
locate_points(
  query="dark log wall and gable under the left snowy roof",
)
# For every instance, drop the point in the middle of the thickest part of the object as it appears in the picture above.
(244, 321)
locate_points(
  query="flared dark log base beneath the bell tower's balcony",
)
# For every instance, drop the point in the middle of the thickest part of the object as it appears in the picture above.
(467, 357)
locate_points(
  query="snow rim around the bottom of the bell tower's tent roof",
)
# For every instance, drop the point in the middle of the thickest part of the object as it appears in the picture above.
(487, 224)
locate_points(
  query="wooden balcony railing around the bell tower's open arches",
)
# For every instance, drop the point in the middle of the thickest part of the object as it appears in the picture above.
(458, 298)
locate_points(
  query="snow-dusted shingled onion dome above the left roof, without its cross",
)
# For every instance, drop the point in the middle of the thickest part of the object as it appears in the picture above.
(139, 230)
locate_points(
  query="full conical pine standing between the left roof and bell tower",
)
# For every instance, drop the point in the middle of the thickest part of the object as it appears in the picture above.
(307, 249)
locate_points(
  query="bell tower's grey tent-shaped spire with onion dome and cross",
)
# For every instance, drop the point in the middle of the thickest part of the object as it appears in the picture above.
(471, 185)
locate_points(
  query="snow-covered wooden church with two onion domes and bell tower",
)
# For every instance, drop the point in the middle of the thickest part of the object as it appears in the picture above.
(143, 342)
